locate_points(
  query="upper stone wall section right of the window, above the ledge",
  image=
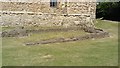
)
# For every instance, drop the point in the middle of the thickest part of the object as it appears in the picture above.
(82, 8)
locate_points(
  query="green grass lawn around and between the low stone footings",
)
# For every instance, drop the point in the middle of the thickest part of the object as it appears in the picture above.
(98, 52)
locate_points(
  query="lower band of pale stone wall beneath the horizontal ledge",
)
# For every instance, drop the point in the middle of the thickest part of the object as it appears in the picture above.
(25, 19)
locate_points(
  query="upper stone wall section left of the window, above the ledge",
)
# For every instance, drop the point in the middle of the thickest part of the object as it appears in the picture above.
(43, 7)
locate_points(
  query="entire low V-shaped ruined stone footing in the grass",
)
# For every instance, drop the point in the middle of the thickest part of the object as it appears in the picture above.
(93, 33)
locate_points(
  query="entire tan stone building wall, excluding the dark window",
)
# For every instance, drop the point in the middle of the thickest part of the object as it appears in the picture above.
(40, 13)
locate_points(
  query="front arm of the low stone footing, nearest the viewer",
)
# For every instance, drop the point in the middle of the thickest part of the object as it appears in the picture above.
(59, 40)
